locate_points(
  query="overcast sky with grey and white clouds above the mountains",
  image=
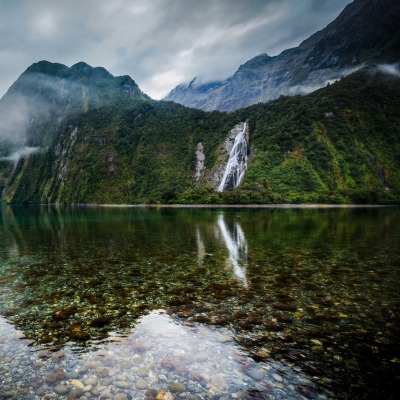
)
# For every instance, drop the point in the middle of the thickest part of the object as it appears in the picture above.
(159, 43)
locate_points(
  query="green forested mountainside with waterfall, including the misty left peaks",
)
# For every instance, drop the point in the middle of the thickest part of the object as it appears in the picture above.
(339, 144)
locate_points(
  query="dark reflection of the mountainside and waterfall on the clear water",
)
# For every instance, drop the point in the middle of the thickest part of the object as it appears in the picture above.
(323, 296)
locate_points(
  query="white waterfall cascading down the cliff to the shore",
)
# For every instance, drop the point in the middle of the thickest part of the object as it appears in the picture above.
(237, 163)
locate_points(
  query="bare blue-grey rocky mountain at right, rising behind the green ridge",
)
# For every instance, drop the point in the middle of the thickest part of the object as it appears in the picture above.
(366, 32)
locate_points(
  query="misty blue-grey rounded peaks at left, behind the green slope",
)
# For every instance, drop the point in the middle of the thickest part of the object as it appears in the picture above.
(46, 93)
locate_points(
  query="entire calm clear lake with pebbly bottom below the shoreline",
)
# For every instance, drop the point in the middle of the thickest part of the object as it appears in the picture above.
(137, 303)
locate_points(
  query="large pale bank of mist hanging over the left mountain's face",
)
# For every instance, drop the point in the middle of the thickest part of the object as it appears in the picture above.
(31, 112)
